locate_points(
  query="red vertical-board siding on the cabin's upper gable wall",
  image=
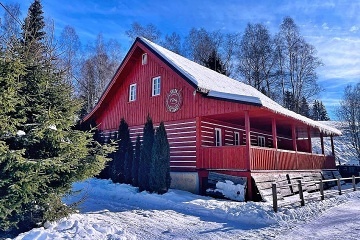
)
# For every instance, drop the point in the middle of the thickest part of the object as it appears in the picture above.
(117, 104)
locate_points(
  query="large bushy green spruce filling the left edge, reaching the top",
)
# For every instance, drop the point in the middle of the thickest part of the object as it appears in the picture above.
(41, 153)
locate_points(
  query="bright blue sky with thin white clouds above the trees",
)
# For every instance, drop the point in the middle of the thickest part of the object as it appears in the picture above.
(332, 26)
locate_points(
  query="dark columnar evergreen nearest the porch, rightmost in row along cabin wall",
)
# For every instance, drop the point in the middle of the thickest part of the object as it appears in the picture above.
(160, 162)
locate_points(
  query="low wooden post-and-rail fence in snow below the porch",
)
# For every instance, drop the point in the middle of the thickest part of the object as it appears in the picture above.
(315, 194)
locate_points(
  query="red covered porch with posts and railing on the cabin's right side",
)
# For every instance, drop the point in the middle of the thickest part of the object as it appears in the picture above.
(267, 141)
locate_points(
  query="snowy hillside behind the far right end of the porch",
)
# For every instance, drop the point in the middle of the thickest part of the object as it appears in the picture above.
(344, 151)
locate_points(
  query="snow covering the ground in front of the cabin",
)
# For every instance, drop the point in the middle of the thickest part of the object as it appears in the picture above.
(119, 211)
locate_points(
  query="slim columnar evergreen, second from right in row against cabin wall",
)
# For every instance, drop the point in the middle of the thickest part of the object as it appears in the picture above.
(145, 155)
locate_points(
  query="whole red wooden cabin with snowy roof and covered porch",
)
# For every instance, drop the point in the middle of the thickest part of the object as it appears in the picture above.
(214, 123)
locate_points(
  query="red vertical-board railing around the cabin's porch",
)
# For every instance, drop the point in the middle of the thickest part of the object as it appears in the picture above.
(234, 157)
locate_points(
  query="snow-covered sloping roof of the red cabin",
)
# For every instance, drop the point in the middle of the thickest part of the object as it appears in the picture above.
(220, 86)
